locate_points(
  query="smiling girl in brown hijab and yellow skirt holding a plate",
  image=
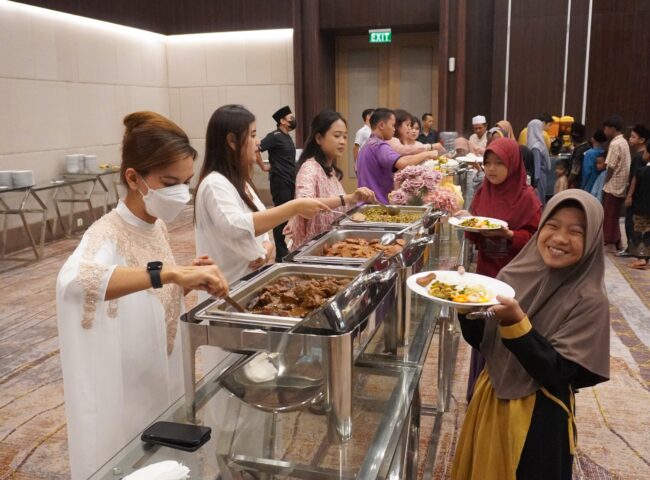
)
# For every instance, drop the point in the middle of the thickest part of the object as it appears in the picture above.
(551, 339)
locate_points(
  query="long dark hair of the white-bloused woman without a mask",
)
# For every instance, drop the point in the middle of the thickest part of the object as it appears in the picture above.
(219, 157)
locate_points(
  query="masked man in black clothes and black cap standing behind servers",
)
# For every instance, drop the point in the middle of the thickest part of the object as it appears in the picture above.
(282, 157)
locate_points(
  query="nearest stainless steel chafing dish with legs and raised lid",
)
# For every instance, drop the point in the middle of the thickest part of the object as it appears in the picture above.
(295, 358)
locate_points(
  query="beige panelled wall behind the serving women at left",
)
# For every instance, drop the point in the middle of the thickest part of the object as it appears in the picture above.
(66, 83)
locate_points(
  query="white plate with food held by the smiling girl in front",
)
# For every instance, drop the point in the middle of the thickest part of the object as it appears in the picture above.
(456, 289)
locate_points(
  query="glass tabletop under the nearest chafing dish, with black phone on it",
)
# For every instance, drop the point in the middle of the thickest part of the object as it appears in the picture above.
(294, 444)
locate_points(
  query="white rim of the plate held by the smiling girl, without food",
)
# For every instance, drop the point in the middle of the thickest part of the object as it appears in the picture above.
(493, 286)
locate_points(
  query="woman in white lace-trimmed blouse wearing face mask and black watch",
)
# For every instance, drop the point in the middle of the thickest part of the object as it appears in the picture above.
(119, 297)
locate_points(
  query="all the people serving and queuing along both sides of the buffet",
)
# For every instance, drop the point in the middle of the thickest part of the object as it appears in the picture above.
(120, 294)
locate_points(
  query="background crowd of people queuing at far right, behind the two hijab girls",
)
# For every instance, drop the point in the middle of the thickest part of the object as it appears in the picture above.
(606, 165)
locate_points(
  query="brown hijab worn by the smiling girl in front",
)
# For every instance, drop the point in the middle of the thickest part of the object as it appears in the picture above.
(568, 306)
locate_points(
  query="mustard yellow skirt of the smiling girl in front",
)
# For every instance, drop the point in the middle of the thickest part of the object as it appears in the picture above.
(493, 435)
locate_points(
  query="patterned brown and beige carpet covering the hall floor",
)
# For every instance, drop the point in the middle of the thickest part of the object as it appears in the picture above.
(613, 418)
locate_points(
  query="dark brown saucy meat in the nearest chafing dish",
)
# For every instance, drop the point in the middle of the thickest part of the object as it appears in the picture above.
(295, 296)
